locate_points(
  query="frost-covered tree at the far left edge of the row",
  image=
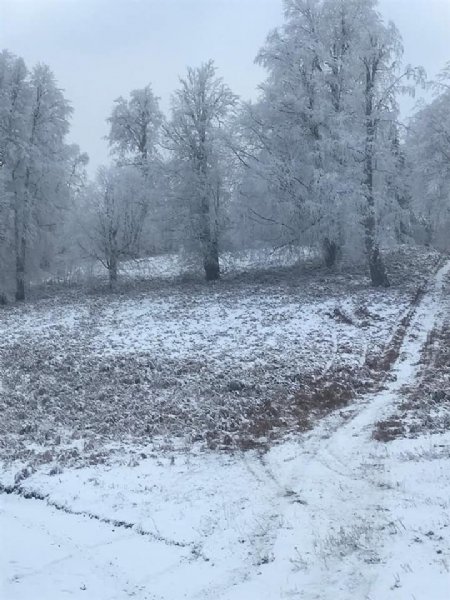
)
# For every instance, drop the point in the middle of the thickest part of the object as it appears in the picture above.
(34, 122)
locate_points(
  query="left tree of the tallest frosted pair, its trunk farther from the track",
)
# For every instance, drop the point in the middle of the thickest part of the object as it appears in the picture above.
(299, 128)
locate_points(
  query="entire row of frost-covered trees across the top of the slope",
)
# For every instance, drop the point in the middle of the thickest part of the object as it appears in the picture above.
(320, 159)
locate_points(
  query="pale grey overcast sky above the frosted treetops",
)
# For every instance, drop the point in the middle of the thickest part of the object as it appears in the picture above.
(101, 49)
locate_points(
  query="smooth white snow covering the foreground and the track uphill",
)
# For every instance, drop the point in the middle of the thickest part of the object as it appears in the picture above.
(331, 514)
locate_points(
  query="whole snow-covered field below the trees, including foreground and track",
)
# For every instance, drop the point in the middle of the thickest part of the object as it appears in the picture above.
(114, 509)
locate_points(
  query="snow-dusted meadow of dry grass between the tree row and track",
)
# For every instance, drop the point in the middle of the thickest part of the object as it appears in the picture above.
(229, 364)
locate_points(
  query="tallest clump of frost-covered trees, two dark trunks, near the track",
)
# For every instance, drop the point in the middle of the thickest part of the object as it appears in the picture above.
(322, 130)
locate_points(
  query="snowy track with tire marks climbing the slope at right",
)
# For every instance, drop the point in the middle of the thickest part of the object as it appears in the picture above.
(339, 471)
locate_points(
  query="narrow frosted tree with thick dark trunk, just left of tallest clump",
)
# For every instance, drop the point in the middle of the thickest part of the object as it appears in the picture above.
(198, 138)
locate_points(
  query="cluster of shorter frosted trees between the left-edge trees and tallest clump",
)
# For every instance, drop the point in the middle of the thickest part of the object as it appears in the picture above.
(170, 182)
